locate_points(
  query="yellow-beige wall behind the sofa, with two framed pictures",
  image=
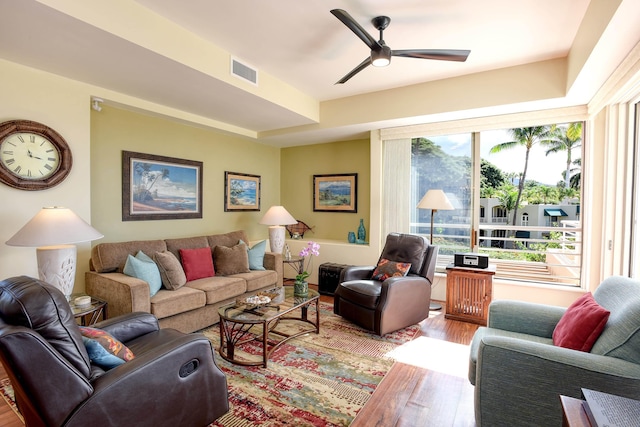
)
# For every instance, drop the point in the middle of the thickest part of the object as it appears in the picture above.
(114, 130)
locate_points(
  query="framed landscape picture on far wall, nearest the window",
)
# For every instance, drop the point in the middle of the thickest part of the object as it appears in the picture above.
(335, 193)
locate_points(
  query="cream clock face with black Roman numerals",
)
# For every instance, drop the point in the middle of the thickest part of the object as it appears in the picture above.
(29, 156)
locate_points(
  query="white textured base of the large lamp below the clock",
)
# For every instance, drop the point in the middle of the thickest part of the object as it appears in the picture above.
(57, 266)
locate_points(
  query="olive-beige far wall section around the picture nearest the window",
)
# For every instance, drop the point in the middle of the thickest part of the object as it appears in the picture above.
(299, 164)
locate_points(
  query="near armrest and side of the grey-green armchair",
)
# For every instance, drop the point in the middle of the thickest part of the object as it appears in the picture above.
(522, 380)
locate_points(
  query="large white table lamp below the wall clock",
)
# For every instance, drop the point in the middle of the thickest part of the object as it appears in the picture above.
(53, 231)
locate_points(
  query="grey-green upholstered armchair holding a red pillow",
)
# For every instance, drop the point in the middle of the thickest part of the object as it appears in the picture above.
(519, 374)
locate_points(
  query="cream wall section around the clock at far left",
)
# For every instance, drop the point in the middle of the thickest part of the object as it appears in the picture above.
(63, 105)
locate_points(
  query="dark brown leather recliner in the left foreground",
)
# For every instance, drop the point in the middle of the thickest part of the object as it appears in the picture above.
(172, 381)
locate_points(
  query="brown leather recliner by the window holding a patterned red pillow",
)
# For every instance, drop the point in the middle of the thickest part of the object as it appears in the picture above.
(397, 302)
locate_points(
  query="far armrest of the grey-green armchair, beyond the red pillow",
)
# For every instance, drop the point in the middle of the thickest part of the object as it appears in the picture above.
(523, 317)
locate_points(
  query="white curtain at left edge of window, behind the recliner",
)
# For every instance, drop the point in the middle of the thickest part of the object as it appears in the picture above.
(396, 186)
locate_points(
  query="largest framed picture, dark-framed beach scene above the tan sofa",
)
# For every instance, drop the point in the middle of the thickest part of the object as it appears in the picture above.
(159, 187)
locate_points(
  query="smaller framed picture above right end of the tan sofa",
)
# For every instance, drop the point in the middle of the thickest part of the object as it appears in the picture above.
(241, 192)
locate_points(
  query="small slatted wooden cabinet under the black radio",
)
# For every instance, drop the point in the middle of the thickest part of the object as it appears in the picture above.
(469, 292)
